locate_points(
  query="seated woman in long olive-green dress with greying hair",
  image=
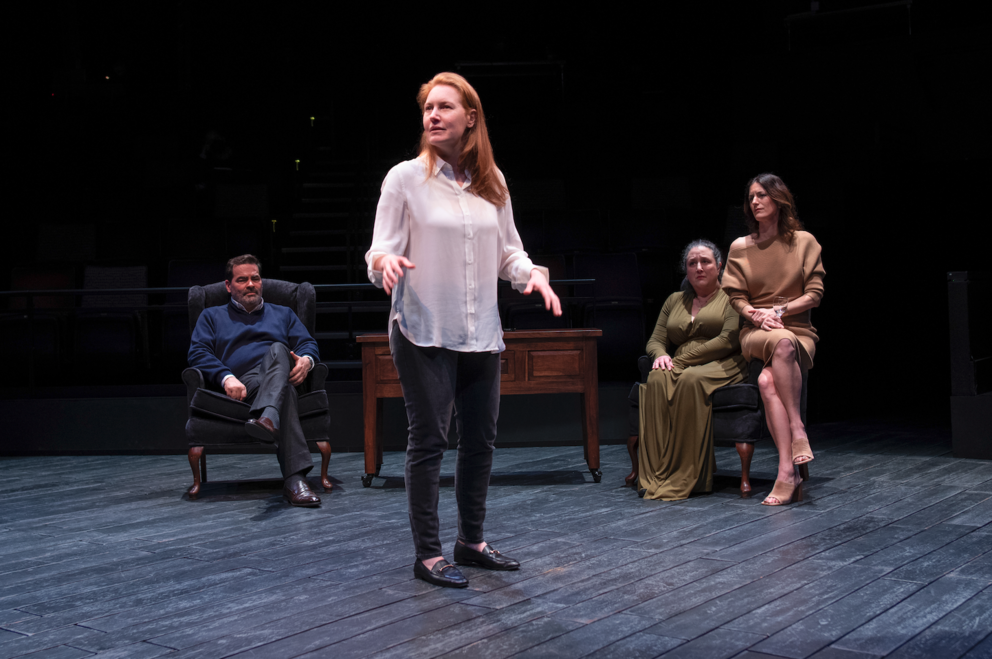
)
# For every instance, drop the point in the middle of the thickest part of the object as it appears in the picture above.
(695, 349)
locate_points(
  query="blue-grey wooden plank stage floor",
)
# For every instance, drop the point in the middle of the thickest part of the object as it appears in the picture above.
(888, 556)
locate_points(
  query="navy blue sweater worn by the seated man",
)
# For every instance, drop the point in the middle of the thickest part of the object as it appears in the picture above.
(228, 340)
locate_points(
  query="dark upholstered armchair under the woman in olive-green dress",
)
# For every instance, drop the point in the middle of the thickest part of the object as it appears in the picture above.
(738, 418)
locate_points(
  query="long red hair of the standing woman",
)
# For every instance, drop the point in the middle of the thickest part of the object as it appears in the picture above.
(477, 154)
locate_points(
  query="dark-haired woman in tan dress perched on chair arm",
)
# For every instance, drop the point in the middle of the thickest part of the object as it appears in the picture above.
(774, 277)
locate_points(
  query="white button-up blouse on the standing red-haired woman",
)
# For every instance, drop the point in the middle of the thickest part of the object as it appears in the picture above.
(460, 244)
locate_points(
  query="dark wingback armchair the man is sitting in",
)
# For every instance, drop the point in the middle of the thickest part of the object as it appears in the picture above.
(217, 421)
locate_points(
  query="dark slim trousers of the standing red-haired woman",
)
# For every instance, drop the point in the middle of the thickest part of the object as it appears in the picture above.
(435, 381)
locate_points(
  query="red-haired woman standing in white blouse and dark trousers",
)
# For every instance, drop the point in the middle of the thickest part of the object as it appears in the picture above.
(444, 233)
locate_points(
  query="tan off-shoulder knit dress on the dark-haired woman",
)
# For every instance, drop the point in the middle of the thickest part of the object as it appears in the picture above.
(759, 272)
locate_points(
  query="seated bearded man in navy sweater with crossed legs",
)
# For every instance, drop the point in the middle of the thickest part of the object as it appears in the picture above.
(258, 353)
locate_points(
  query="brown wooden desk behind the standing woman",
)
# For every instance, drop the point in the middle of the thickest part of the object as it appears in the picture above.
(535, 362)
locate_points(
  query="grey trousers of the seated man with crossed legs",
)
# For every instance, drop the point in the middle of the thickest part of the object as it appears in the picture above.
(268, 386)
